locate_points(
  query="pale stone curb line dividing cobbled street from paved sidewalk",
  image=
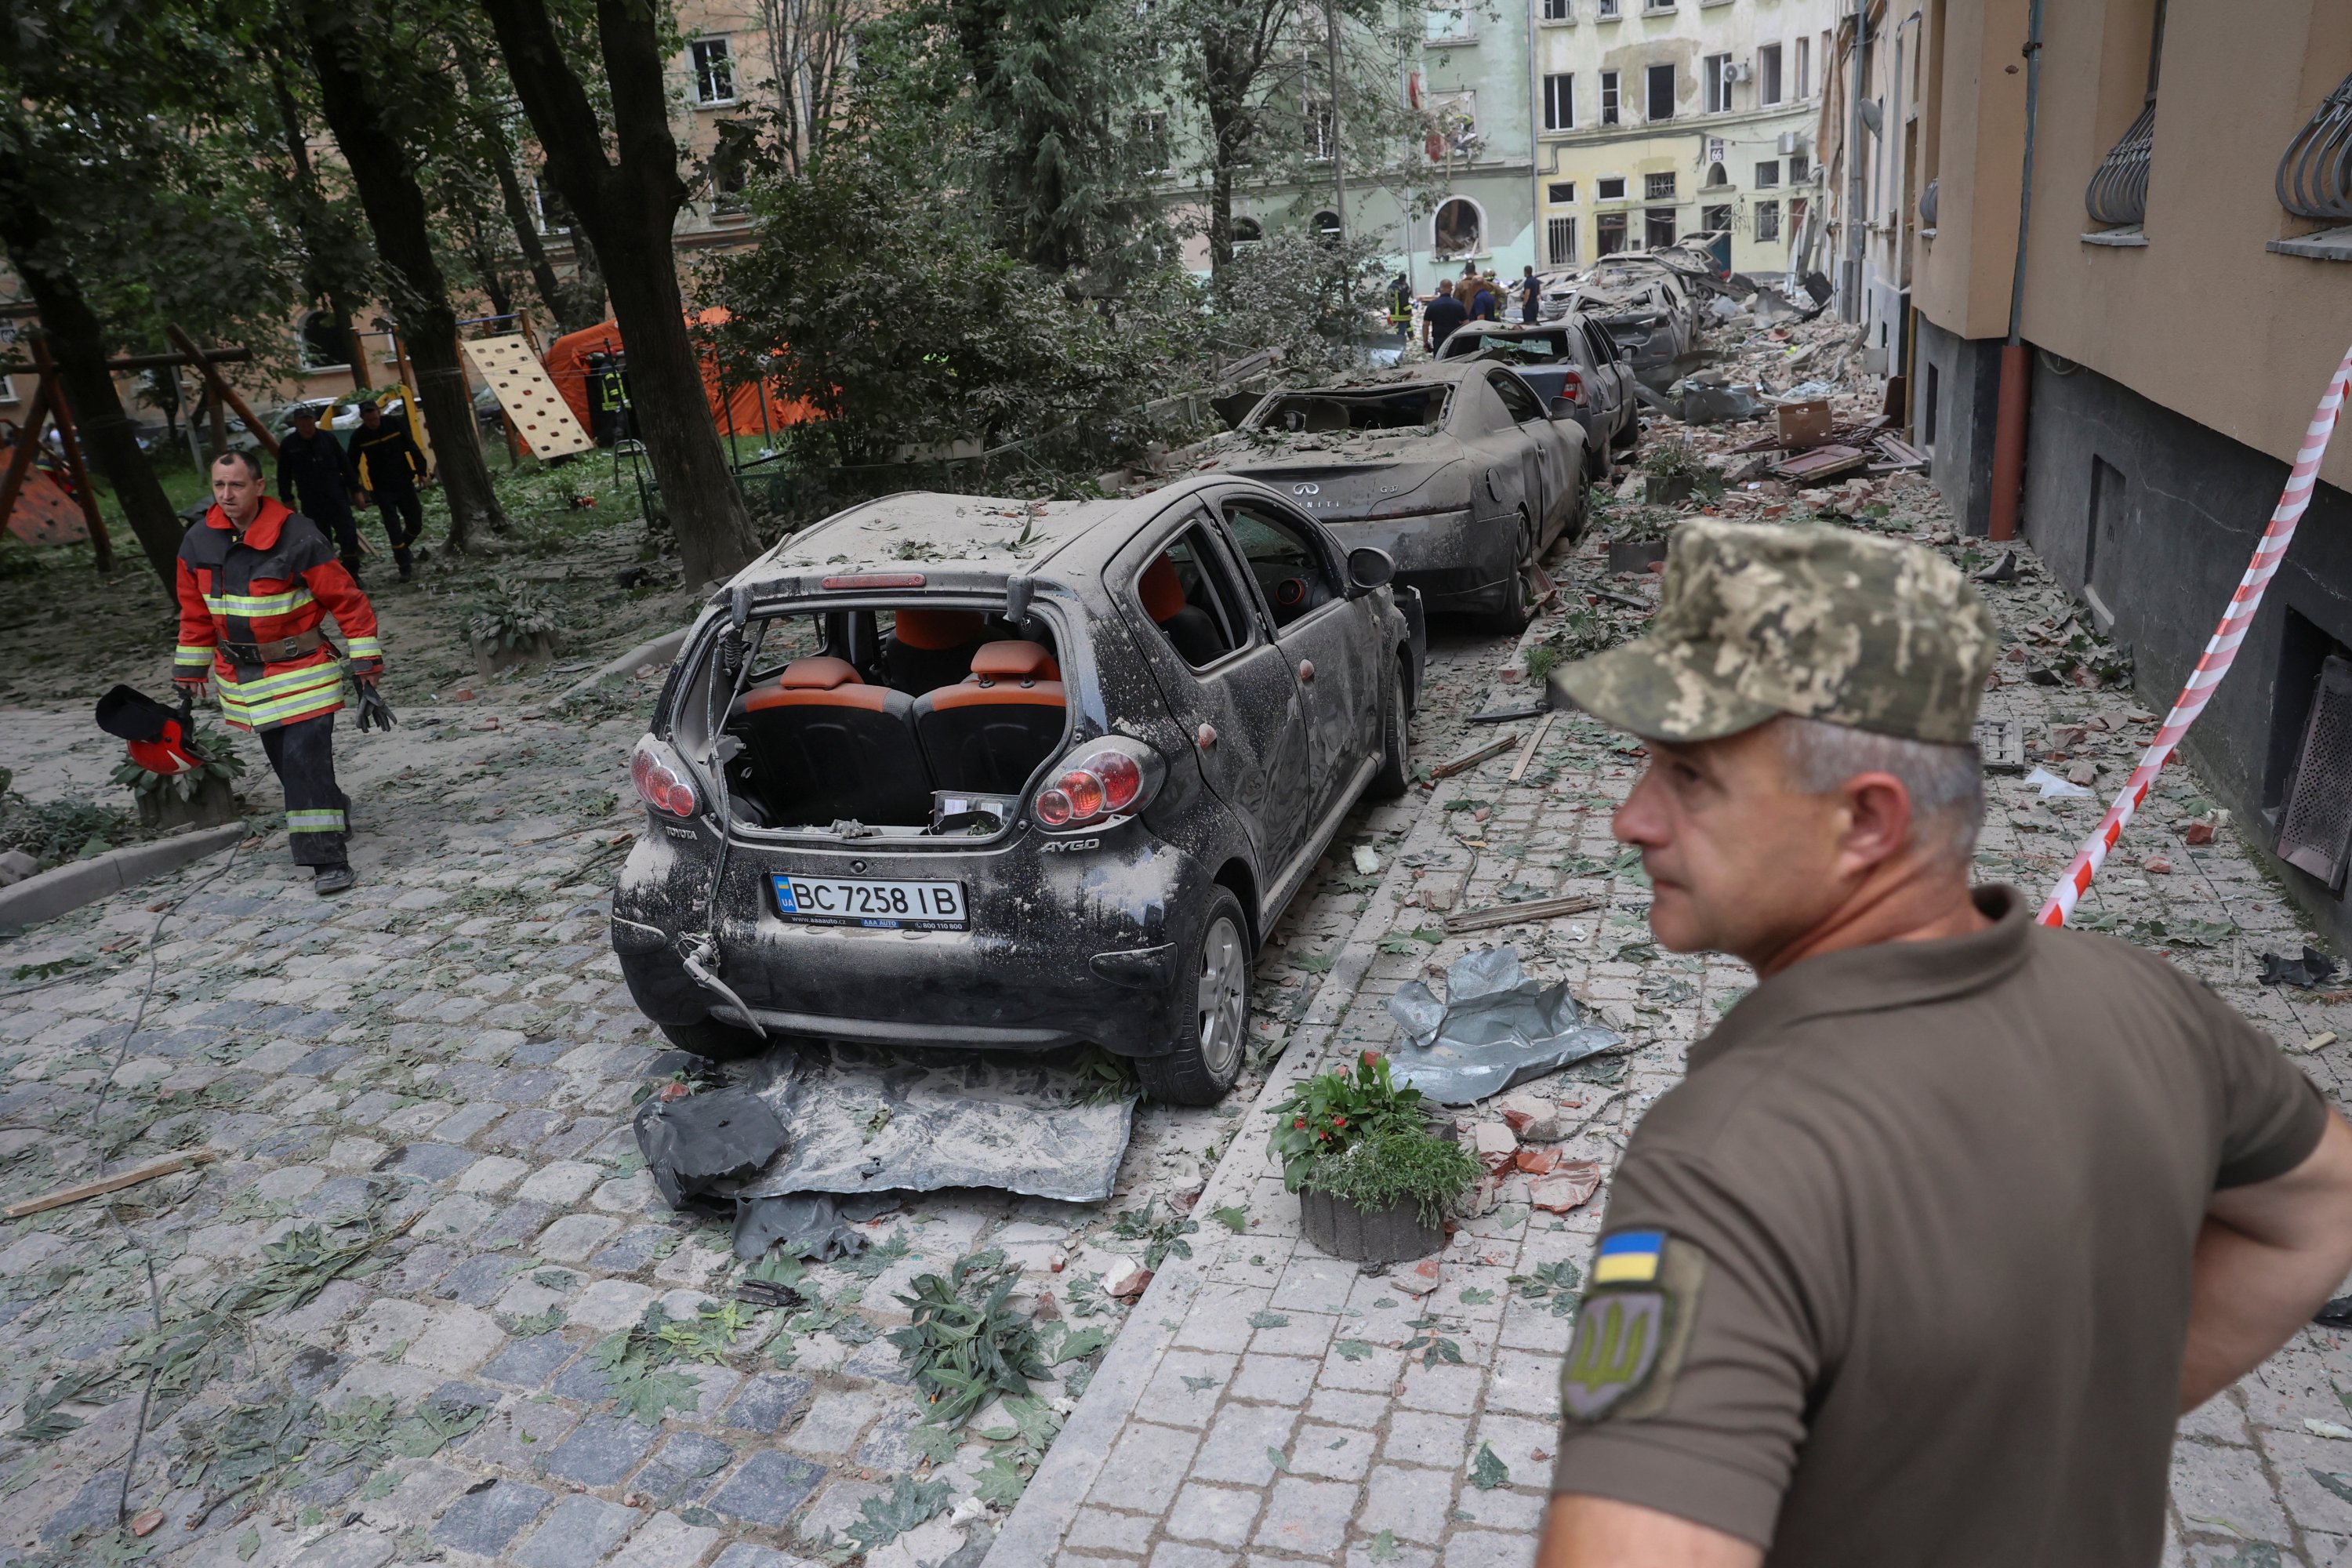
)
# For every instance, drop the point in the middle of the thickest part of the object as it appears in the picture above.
(1083, 1447)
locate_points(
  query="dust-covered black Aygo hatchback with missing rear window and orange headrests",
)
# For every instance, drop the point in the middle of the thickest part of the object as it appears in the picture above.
(1013, 777)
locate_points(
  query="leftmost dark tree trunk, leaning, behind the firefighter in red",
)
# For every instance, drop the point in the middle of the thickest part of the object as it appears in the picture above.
(79, 344)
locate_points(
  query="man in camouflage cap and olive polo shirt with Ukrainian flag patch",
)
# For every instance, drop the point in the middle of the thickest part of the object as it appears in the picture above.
(1953, 1214)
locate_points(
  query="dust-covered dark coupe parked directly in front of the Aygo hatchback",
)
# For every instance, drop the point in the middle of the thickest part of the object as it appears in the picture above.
(1457, 469)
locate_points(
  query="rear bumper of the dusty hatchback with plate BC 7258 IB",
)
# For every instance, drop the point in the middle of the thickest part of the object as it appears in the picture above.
(1050, 960)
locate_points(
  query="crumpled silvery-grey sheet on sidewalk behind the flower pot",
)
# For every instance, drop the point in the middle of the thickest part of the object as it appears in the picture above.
(1497, 1028)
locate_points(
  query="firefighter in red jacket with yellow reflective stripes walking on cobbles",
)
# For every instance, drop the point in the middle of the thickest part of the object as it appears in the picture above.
(255, 582)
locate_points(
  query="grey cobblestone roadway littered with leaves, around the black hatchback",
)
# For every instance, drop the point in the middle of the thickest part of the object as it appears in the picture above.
(408, 1311)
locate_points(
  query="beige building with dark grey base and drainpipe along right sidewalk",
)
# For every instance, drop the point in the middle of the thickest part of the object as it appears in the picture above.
(2181, 311)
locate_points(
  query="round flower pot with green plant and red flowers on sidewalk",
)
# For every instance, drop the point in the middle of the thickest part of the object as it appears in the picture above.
(1372, 1174)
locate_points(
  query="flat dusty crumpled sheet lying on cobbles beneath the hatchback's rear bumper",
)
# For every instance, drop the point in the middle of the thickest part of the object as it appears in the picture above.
(869, 1120)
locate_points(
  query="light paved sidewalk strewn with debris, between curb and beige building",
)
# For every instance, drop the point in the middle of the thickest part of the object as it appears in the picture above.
(1276, 1407)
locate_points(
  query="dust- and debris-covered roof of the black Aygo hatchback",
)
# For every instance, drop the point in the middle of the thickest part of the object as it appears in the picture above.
(973, 532)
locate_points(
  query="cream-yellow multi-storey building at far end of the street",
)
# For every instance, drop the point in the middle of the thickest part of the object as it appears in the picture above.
(1662, 119)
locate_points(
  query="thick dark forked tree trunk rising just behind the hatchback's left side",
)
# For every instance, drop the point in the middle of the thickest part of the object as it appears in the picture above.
(627, 210)
